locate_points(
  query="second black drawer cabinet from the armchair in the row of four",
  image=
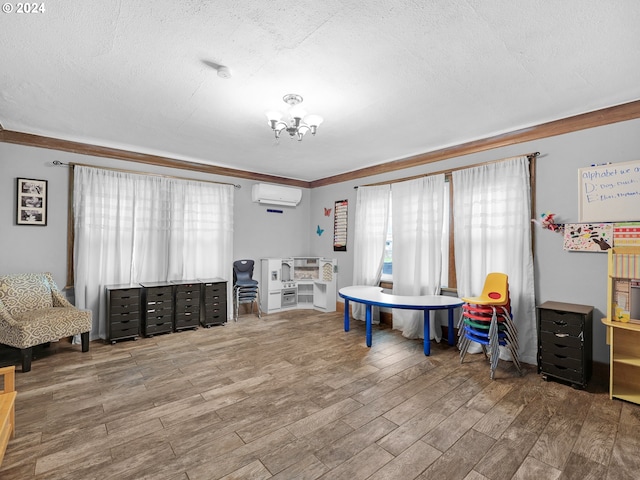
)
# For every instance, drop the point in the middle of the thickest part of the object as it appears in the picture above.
(158, 308)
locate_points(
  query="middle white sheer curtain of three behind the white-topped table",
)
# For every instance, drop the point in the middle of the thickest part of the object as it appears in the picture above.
(417, 211)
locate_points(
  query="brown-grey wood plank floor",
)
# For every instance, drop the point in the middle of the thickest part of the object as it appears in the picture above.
(292, 396)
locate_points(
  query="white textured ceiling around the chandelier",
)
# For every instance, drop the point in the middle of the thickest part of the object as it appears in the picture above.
(391, 78)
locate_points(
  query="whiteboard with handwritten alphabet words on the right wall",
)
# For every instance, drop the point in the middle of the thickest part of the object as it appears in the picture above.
(610, 192)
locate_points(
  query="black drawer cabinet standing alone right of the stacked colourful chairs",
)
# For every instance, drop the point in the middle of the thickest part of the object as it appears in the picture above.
(565, 342)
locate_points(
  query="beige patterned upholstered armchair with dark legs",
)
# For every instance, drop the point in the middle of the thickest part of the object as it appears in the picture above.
(33, 311)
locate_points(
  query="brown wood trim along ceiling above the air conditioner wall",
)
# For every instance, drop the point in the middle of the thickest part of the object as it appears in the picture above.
(9, 136)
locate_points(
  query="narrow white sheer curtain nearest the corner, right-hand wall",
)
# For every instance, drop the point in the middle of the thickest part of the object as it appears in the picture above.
(370, 235)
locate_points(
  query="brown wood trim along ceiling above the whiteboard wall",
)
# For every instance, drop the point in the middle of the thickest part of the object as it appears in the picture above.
(620, 113)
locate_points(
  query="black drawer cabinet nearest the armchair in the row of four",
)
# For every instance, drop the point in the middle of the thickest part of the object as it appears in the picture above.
(123, 312)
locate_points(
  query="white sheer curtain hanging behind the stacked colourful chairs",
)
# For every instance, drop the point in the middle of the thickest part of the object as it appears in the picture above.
(492, 224)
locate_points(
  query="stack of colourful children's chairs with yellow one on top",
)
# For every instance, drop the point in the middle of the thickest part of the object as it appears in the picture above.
(488, 320)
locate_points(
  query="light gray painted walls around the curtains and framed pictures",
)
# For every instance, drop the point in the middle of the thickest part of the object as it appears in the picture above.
(572, 277)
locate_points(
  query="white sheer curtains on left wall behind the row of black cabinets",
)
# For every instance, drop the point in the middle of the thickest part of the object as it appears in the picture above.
(132, 228)
